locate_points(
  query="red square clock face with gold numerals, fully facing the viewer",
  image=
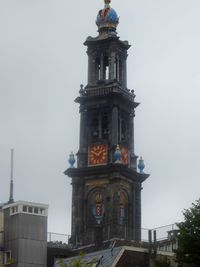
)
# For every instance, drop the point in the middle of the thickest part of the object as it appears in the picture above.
(98, 154)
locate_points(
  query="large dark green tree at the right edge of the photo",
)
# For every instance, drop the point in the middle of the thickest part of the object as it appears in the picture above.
(188, 252)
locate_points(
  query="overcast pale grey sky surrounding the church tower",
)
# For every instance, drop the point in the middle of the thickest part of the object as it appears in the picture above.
(42, 64)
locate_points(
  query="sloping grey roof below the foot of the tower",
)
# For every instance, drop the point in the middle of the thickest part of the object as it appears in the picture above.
(102, 258)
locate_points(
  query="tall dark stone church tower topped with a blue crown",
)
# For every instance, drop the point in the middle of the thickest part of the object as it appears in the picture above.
(106, 187)
